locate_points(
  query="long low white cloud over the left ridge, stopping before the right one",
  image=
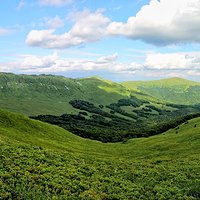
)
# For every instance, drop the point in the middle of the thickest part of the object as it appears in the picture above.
(54, 63)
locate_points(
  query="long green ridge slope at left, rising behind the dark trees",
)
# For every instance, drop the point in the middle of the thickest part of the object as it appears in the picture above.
(33, 95)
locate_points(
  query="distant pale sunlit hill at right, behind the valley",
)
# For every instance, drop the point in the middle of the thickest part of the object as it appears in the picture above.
(174, 90)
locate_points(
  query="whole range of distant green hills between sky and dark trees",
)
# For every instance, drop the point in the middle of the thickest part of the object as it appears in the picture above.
(48, 94)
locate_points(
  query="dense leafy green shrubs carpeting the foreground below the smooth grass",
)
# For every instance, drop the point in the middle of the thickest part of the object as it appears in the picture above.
(35, 173)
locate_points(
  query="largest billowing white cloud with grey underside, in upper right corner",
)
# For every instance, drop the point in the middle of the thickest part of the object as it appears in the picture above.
(162, 22)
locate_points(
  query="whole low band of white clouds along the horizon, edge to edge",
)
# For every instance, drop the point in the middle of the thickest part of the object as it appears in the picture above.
(156, 65)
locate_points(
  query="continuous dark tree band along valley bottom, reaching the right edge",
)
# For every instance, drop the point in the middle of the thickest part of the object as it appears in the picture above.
(98, 128)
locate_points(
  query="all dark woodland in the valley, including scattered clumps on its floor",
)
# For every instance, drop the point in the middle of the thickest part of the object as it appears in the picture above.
(128, 118)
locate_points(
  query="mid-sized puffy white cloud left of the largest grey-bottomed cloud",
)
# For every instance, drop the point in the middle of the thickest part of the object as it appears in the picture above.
(88, 27)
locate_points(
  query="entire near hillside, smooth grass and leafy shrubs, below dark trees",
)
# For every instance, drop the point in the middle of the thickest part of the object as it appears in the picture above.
(41, 161)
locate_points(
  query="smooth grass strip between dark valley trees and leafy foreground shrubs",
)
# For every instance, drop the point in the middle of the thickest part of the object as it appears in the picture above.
(18, 128)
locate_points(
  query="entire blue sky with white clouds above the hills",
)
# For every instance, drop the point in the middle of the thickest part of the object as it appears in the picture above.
(118, 40)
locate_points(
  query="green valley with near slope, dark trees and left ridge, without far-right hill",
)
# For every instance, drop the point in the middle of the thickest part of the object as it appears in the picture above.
(148, 148)
